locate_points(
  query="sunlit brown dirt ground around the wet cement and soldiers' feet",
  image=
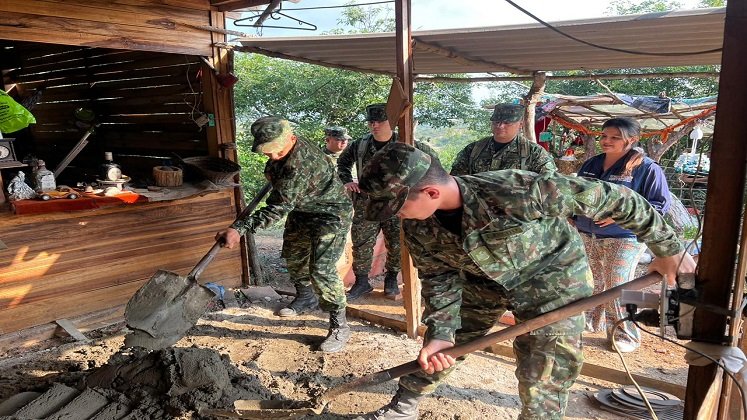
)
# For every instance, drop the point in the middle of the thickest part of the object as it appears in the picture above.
(276, 358)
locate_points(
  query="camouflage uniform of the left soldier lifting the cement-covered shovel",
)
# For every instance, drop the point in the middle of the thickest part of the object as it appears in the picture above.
(306, 189)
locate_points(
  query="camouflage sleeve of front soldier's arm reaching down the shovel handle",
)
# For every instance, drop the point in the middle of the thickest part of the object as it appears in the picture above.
(441, 292)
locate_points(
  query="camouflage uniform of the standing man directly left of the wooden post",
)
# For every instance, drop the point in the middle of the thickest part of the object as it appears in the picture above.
(364, 232)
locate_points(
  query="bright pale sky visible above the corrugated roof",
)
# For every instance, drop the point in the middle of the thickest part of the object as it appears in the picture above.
(441, 14)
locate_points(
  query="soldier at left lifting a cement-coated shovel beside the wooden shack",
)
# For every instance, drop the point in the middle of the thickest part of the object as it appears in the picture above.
(307, 190)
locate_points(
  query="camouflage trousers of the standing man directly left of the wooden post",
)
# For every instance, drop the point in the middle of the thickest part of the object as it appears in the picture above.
(364, 233)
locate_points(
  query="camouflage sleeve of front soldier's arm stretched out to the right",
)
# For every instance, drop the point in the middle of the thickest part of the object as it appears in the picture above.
(566, 196)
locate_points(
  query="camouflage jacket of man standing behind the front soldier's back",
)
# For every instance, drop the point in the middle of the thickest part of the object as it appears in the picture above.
(481, 156)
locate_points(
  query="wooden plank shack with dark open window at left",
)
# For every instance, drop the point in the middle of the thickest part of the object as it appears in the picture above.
(144, 73)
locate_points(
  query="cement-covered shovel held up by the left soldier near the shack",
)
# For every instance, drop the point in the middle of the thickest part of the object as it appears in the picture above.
(167, 305)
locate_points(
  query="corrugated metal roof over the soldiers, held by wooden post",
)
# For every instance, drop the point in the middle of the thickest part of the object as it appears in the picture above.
(519, 48)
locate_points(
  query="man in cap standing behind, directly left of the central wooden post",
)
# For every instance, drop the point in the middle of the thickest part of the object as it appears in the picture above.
(364, 232)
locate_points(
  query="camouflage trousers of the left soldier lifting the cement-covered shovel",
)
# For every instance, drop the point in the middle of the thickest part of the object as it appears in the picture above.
(312, 245)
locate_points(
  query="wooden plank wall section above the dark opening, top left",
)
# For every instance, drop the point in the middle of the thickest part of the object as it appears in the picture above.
(145, 25)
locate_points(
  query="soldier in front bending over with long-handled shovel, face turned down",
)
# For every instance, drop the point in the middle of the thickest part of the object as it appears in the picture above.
(495, 241)
